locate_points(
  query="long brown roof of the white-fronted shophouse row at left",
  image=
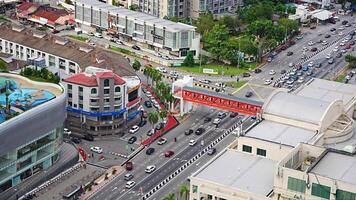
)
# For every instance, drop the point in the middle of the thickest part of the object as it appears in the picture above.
(71, 50)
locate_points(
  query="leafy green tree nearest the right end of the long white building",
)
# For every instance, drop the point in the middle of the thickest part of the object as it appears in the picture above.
(216, 41)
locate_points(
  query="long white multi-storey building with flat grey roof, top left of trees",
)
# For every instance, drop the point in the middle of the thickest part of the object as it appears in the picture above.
(139, 28)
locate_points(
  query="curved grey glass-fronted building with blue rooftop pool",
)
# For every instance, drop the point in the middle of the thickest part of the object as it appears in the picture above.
(31, 139)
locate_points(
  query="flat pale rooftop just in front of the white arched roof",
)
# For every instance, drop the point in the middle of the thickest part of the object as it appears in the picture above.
(280, 133)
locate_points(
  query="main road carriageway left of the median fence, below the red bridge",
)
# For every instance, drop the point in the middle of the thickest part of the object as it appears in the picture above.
(166, 166)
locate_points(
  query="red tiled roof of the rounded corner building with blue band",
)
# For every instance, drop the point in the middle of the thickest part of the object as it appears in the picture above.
(90, 80)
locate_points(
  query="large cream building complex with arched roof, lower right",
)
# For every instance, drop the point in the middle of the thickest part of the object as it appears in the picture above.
(304, 148)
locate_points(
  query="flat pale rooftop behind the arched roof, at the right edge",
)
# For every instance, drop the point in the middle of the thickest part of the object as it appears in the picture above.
(329, 91)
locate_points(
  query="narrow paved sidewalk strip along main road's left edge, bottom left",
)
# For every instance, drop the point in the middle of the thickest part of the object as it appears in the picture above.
(101, 181)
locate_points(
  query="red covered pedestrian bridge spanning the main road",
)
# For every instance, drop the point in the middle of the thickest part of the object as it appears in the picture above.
(218, 100)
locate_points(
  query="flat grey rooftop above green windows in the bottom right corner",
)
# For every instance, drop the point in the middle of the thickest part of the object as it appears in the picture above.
(343, 167)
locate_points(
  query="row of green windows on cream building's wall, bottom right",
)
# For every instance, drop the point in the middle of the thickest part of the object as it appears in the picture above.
(318, 190)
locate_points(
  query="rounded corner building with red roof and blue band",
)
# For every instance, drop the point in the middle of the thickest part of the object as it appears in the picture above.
(98, 101)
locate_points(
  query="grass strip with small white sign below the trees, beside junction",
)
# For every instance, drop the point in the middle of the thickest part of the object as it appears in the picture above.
(221, 69)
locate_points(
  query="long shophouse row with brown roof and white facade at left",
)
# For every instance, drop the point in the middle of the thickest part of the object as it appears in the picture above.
(61, 56)
